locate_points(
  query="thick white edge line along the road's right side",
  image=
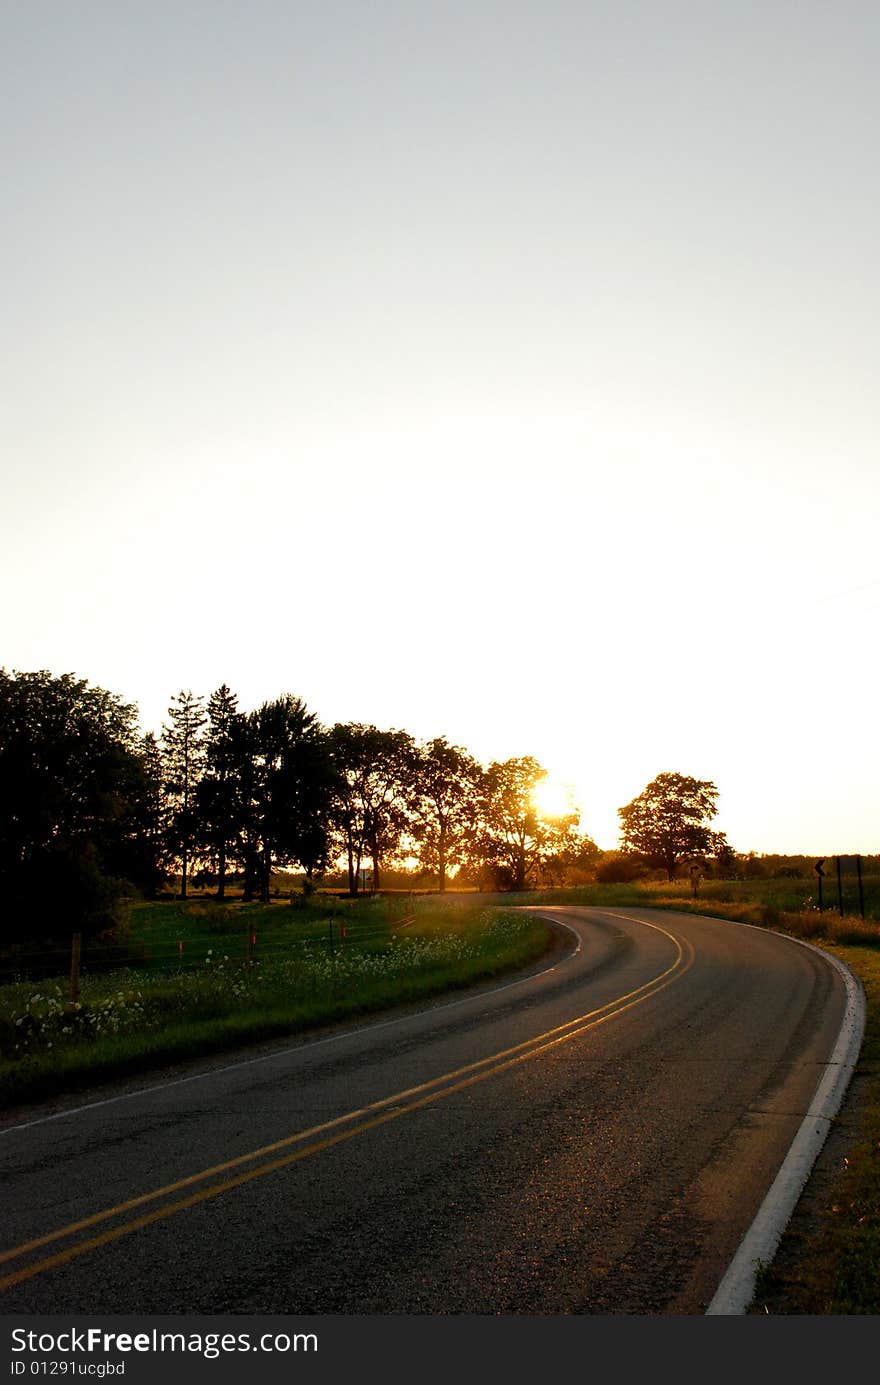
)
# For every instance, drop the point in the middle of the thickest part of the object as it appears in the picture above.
(759, 1247)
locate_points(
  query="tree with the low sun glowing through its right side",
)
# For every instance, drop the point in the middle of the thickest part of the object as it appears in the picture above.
(516, 836)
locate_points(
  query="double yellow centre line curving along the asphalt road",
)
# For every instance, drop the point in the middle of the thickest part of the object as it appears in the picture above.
(319, 1138)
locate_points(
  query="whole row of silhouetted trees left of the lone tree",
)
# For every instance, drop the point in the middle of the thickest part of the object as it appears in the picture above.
(92, 808)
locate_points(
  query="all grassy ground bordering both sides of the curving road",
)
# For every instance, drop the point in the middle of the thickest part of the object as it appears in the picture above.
(196, 979)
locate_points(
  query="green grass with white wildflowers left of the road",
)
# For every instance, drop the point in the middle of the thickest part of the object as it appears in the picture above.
(307, 969)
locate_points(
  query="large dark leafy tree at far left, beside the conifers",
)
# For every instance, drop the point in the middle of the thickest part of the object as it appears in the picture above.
(71, 774)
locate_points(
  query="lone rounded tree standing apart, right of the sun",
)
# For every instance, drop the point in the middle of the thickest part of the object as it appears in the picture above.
(669, 822)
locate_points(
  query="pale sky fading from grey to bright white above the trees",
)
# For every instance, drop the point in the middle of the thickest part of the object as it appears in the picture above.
(502, 370)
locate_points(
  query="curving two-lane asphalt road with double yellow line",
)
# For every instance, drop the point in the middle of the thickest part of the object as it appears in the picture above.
(590, 1139)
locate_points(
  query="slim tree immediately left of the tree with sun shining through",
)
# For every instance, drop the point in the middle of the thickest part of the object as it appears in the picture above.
(444, 803)
